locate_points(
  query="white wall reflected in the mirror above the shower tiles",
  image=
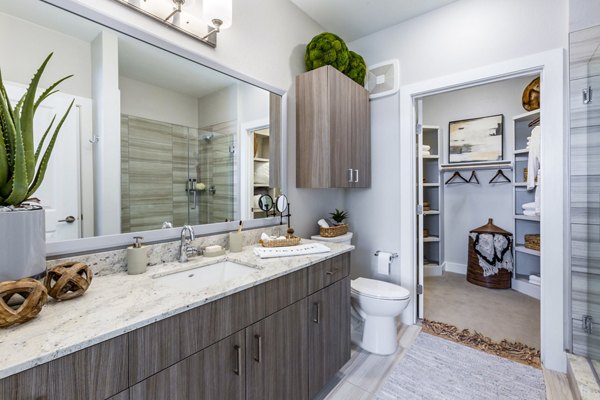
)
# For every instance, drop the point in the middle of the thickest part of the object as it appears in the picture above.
(159, 104)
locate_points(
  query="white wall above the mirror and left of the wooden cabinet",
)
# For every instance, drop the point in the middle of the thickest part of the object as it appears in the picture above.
(266, 42)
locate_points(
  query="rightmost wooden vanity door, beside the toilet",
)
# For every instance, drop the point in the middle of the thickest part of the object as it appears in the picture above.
(328, 334)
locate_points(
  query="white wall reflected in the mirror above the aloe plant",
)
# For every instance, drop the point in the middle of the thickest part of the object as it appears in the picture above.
(25, 45)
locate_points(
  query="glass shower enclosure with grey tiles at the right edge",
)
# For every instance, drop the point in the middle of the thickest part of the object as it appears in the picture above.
(585, 192)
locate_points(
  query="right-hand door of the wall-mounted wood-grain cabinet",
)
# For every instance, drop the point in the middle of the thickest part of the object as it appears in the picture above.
(360, 131)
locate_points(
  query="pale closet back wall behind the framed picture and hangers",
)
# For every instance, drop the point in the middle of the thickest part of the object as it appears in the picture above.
(468, 206)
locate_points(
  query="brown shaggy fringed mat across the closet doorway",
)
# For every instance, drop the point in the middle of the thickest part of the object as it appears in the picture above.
(514, 351)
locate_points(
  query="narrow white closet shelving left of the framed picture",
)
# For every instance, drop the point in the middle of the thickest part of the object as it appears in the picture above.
(430, 191)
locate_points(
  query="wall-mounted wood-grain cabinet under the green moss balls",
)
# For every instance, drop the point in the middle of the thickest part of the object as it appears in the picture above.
(333, 131)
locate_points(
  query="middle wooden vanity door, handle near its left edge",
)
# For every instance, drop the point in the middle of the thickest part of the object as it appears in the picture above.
(276, 356)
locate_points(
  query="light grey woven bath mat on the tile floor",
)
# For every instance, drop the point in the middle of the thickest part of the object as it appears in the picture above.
(438, 369)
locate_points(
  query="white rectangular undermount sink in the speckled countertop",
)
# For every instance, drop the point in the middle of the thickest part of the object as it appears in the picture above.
(205, 276)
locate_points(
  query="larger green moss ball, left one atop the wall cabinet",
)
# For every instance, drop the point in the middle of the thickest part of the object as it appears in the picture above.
(326, 49)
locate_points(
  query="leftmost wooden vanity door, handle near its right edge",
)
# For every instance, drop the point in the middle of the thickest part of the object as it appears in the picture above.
(217, 372)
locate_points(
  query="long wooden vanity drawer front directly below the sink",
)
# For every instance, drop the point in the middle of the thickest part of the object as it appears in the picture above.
(164, 343)
